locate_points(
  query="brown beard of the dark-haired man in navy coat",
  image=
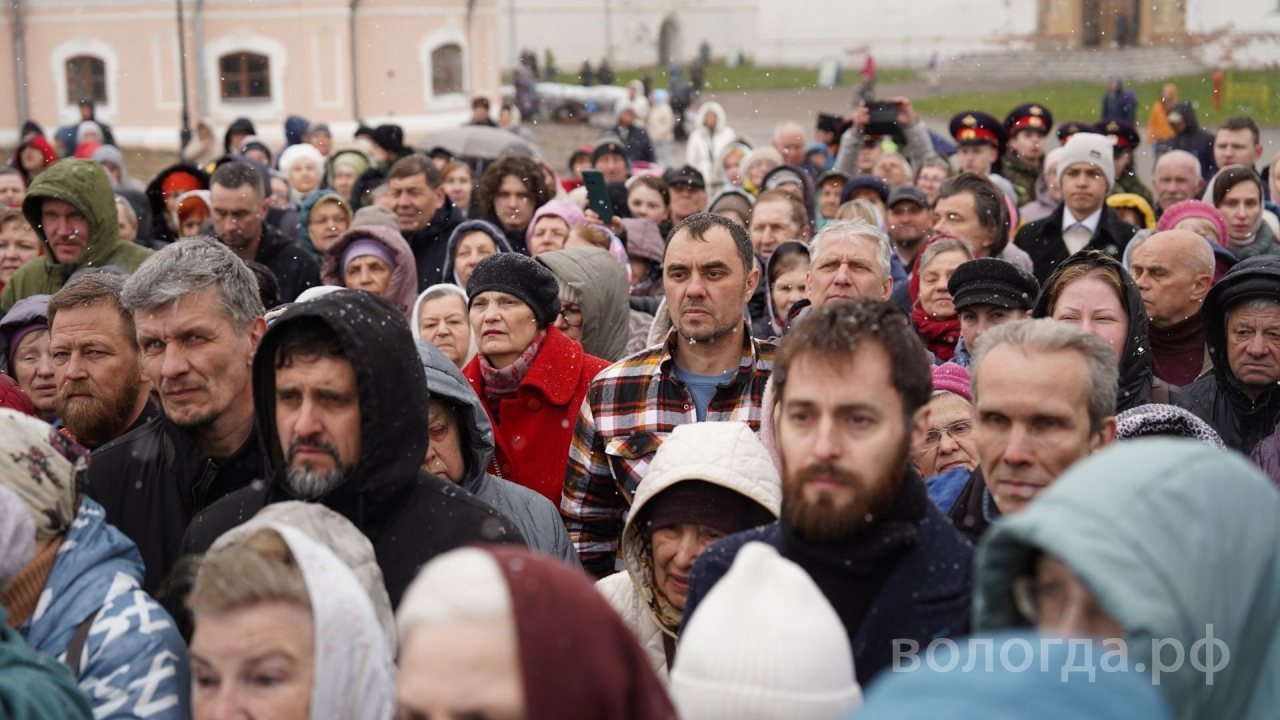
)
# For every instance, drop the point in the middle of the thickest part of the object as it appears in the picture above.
(822, 520)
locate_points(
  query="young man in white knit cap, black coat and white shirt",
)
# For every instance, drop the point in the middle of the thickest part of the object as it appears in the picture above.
(1086, 174)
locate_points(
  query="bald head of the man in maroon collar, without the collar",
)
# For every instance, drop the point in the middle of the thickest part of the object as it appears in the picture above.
(1174, 271)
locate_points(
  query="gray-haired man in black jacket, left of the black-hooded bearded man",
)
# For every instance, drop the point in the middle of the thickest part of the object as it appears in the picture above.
(199, 320)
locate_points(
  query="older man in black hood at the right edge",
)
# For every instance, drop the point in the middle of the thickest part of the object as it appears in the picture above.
(1242, 331)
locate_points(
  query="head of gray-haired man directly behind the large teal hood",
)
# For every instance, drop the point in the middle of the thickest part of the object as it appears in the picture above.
(1045, 397)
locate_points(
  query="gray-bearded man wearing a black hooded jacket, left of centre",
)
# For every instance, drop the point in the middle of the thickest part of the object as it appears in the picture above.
(341, 400)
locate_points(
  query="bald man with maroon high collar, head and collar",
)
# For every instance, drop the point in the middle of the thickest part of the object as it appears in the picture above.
(1174, 272)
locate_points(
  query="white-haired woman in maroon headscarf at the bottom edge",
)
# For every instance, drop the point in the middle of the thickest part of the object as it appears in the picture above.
(547, 645)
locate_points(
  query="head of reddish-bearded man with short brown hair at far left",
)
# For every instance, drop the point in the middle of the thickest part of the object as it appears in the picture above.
(102, 390)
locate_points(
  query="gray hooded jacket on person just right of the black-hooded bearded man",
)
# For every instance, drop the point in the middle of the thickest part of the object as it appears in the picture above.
(537, 518)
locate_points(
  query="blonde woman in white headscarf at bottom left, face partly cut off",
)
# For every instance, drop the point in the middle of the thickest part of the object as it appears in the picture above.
(285, 630)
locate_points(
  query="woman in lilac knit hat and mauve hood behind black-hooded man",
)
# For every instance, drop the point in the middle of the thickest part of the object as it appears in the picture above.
(377, 261)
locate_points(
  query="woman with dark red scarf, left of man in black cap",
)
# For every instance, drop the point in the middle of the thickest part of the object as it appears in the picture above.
(932, 312)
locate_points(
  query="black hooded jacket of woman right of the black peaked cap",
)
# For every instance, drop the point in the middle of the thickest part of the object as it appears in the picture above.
(1139, 386)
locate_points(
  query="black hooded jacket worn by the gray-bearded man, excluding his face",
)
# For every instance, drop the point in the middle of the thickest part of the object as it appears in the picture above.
(409, 516)
